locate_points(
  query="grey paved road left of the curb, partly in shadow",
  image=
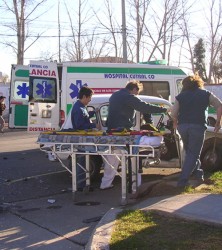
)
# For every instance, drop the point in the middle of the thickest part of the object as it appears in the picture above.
(37, 208)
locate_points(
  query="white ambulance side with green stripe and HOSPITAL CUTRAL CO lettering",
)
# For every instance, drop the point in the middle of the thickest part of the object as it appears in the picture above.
(106, 78)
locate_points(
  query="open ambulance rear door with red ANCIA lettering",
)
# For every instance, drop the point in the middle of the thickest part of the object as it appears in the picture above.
(43, 107)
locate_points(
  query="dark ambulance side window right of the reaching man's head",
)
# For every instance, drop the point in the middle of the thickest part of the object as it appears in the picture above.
(159, 89)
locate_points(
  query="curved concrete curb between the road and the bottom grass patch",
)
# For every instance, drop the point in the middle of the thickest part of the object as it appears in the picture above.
(101, 236)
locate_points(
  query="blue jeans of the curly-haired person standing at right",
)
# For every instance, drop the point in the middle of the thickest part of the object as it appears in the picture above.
(193, 137)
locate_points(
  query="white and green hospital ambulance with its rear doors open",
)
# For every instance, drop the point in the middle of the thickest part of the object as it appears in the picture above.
(42, 93)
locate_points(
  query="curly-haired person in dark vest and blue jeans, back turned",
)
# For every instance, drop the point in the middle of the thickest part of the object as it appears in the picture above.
(190, 117)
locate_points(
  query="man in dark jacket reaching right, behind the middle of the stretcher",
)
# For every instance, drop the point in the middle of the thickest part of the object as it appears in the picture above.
(123, 105)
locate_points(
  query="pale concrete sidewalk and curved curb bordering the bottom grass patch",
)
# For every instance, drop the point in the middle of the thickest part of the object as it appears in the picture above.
(199, 207)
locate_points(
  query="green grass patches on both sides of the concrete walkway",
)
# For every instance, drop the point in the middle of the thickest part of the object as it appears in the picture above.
(143, 230)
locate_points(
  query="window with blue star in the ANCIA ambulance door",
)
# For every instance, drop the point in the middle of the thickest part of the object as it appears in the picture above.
(43, 90)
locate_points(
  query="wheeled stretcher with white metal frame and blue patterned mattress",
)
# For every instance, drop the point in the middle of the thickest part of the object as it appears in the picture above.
(130, 147)
